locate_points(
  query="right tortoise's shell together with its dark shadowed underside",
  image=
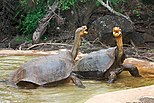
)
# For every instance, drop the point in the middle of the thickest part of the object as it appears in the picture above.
(97, 64)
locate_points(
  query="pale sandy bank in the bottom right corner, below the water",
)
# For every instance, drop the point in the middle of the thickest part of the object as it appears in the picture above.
(137, 95)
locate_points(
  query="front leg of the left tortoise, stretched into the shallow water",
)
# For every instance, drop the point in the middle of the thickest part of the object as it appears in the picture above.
(76, 80)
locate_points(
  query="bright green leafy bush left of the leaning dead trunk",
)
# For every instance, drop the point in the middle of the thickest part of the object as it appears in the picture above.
(31, 17)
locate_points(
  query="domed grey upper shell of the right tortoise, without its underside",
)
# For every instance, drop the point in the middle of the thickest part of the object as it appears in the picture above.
(96, 61)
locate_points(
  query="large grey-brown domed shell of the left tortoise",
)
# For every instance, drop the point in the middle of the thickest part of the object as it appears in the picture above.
(46, 69)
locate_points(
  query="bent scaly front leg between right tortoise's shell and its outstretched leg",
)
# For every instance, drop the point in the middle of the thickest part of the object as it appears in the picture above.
(113, 75)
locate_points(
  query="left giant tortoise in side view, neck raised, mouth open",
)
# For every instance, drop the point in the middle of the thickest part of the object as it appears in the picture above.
(50, 70)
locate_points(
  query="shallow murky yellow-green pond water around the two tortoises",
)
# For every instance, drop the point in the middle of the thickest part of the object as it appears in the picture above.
(66, 93)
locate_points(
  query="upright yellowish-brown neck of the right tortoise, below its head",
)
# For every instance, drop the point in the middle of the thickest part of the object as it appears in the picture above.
(120, 48)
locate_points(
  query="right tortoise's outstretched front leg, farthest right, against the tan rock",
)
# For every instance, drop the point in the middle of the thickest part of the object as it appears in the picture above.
(132, 69)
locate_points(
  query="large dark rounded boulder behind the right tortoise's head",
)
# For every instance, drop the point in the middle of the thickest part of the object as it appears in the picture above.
(102, 28)
